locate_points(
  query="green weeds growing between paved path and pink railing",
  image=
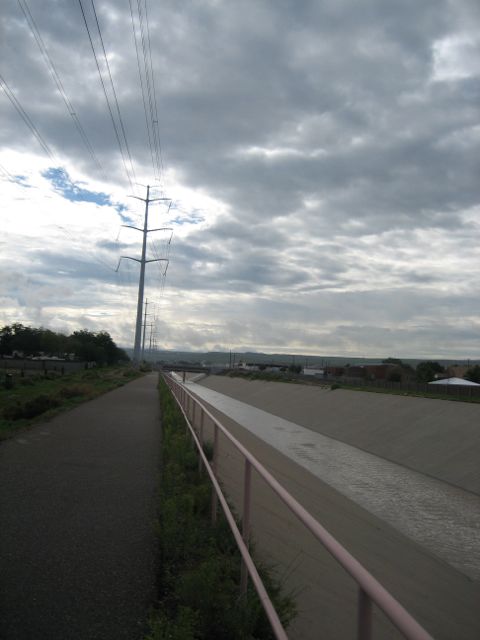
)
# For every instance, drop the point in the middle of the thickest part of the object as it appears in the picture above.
(199, 571)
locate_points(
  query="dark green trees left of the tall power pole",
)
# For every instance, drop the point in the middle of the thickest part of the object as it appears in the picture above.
(30, 342)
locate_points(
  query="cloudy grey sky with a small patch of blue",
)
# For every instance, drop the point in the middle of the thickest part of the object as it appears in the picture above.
(320, 159)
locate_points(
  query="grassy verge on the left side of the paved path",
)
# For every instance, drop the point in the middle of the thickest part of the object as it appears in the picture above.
(40, 396)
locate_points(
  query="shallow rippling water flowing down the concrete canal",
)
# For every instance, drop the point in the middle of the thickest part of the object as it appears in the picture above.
(444, 519)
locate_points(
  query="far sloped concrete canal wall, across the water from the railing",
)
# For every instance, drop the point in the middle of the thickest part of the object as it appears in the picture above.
(439, 438)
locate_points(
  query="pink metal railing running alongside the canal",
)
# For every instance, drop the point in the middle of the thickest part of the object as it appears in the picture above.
(369, 589)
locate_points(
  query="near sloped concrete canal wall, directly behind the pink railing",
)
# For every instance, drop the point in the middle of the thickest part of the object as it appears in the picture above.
(441, 598)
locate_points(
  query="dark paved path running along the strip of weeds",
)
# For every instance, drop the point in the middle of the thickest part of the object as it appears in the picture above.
(77, 542)
